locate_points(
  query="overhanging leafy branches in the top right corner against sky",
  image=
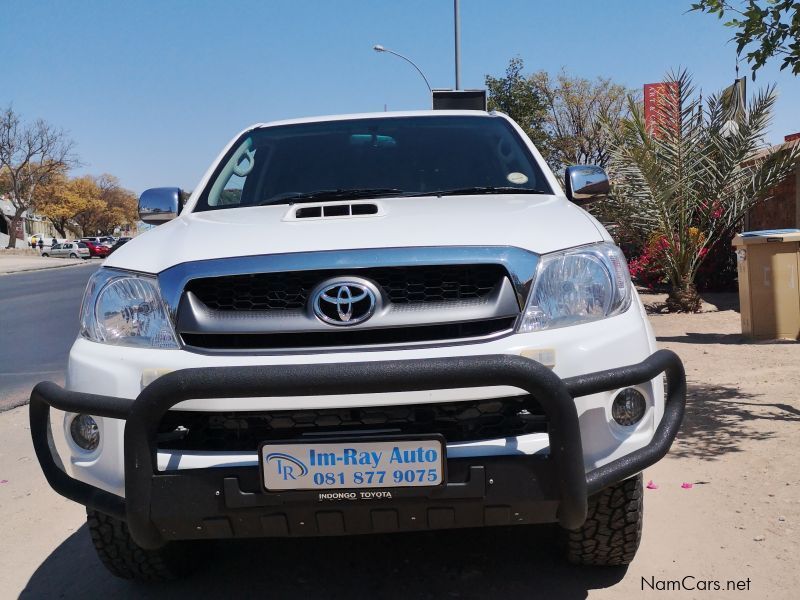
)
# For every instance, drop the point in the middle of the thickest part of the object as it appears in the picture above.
(766, 28)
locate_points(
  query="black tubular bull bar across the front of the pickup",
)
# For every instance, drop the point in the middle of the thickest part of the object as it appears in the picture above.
(143, 415)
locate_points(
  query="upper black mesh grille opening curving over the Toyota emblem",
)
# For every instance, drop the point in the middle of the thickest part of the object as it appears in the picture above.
(402, 285)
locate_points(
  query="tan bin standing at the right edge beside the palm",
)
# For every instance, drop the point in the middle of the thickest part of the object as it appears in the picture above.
(768, 263)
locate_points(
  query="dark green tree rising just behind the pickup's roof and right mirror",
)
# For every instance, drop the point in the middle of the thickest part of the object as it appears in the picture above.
(518, 96)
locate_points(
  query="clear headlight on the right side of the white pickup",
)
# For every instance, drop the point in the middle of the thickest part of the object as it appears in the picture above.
(577, 286)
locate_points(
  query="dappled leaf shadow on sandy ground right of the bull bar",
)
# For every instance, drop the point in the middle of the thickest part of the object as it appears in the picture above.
(718, 421)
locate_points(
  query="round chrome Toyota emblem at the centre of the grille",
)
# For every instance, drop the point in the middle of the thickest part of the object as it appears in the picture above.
(344, 302)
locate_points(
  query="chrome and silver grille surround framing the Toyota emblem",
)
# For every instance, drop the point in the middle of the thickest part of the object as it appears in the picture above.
(196, 320)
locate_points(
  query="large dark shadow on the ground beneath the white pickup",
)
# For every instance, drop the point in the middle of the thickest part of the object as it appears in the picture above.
(474, 563)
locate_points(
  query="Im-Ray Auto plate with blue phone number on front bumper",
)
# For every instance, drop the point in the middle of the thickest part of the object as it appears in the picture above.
(330, 464)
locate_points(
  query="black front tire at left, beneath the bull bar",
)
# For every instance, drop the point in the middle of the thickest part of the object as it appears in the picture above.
(124, 558)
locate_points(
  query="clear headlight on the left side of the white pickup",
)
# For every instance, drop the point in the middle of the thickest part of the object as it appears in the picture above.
(125, 309)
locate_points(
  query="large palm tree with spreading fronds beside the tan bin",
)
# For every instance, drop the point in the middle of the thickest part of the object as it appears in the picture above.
(686, 182)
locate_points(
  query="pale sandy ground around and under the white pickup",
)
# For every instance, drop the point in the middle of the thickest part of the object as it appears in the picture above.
(740, 520)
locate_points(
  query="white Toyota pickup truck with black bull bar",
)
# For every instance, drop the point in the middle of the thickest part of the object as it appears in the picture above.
(362, 324)
